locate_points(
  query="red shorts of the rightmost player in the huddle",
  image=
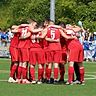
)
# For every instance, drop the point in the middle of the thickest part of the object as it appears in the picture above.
(76, 54)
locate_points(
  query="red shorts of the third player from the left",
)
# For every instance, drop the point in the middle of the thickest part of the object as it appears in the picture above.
(36, 56)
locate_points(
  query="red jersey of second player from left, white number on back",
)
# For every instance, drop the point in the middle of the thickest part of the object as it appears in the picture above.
(24, 43)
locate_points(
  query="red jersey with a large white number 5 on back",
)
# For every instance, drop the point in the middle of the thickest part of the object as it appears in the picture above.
(54, 34)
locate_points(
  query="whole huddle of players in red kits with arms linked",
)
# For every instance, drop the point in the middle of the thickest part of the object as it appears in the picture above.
(49, 46)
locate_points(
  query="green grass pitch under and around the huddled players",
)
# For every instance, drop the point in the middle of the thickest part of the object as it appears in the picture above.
(9, 89)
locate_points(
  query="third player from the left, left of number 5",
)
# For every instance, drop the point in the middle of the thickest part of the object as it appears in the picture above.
(36, 56)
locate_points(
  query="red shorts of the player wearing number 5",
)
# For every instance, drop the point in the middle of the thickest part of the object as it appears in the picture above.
(55, 56)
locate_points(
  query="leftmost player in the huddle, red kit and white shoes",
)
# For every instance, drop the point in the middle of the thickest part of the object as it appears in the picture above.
(14, 53)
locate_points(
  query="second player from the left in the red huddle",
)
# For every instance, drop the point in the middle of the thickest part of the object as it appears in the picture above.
(23, 47)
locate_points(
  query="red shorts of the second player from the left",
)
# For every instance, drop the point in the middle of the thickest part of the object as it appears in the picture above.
(23, 54)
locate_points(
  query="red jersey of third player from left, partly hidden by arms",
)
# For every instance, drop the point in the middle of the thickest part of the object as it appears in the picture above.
(36, 43)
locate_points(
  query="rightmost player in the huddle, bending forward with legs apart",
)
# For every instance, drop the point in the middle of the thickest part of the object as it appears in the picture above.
(75, 51)
